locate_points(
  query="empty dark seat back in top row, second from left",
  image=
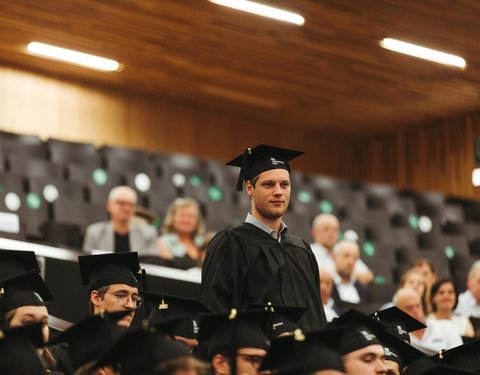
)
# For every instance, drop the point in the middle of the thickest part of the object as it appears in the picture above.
(73, 152)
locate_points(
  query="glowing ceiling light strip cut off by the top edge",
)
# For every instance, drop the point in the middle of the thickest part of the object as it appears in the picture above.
(262, 10)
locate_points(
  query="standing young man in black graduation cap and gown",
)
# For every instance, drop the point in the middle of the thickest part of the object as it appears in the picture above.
(260, 261)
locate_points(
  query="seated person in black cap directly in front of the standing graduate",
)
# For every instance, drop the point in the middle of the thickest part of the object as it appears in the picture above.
(235, 339)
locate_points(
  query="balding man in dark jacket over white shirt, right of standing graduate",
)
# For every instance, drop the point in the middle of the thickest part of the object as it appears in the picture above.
(346, 288)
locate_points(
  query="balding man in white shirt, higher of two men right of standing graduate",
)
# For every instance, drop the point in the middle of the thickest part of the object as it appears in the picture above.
(325, 231)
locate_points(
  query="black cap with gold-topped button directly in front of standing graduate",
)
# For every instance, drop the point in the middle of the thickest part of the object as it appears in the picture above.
(227, 332)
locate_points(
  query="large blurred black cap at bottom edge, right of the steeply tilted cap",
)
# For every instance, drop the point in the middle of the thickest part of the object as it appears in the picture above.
(142, 350)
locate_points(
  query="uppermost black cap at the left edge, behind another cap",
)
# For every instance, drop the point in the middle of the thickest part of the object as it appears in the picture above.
(14, 262)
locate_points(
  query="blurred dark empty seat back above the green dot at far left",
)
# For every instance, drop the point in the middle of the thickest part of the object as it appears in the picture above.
(20, 165)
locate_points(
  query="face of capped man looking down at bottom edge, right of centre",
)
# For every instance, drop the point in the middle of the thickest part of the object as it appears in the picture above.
(365, 361)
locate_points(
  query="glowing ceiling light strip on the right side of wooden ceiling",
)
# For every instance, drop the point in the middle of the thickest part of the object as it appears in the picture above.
(422, 52)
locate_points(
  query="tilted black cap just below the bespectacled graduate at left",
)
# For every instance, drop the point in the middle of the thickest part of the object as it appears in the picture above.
(88, 339)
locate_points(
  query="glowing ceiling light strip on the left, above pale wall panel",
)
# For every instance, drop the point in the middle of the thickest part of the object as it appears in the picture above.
(74, 57)
